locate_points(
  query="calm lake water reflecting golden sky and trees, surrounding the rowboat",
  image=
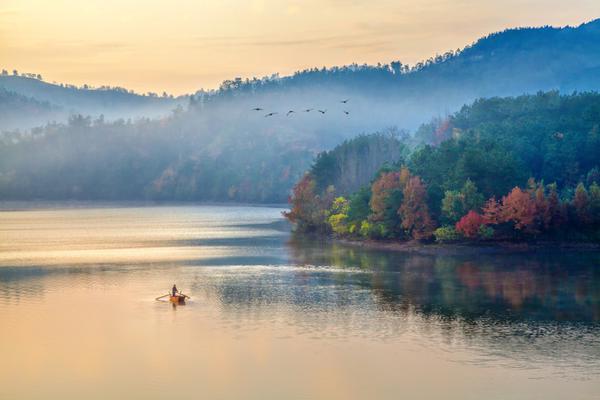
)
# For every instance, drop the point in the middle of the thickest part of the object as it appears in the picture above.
(274, 317)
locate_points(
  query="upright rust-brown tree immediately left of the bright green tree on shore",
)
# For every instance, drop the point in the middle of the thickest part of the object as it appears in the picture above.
(414, 211)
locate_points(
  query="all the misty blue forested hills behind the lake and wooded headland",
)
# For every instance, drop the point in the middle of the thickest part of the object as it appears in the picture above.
(219, 148)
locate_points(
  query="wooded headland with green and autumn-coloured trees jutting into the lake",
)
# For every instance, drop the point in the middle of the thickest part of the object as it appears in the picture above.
(500, 169)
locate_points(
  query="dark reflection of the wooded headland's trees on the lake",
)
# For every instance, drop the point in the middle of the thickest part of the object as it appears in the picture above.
(550, 286)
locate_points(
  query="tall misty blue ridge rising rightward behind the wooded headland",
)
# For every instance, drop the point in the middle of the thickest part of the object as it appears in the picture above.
(507, 63)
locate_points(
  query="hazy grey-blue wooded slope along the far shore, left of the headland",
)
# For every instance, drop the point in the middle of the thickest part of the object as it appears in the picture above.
(88, 159)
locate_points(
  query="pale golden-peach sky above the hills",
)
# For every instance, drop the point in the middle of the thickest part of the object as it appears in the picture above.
(180, 46)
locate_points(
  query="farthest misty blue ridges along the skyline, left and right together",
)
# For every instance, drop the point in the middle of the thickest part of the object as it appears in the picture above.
(507, 63)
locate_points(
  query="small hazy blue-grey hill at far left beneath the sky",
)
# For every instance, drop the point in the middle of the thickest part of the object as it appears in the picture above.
(23, 93)
